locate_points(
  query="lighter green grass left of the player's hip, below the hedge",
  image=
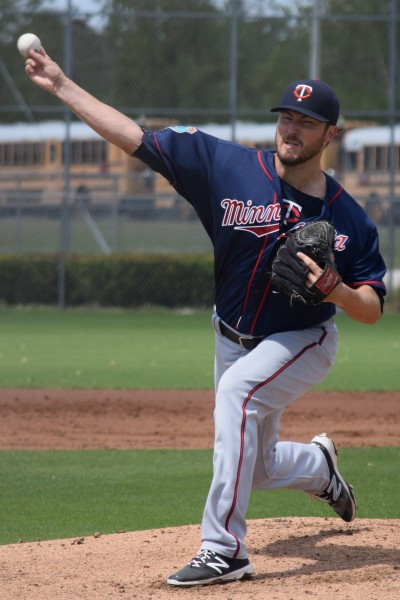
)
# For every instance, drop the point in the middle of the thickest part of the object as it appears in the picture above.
(105, 349)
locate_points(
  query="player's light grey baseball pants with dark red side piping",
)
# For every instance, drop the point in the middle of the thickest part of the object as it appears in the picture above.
(258, 385)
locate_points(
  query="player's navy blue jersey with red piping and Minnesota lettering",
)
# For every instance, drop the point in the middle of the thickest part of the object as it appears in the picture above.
(245, 210)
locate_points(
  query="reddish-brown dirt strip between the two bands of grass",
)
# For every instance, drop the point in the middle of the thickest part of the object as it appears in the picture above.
(33, 419)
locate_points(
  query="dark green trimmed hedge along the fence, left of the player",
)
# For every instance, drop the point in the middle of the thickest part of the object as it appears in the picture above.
(119, 280)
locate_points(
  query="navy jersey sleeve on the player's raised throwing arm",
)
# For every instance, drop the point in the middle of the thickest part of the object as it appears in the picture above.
(184, 156)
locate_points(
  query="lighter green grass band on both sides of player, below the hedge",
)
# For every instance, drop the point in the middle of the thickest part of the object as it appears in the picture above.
(160, 349)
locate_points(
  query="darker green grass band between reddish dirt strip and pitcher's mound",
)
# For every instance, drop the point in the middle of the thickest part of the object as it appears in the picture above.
(63, 494)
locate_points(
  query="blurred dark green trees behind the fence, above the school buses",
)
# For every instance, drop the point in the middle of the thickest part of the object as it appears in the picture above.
(147, 59)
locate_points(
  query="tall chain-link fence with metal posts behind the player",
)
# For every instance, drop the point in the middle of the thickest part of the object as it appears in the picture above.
(217, 65)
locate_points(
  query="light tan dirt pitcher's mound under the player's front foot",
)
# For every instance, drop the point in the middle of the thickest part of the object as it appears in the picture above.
(293, 558)
